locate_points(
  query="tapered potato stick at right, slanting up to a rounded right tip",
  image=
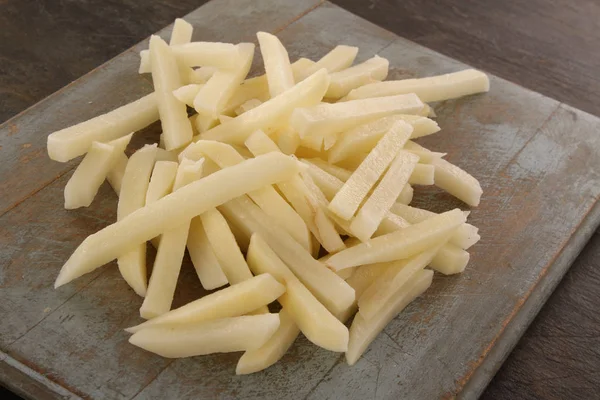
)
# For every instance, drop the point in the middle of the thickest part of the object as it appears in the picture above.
(400, 244)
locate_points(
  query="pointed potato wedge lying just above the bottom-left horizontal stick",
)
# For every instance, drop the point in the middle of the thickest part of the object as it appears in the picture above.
(232, 301)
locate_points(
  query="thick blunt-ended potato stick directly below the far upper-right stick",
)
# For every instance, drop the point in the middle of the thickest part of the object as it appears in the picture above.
(329, 119)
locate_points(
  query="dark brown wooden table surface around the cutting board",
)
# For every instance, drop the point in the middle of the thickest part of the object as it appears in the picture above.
(548, 46)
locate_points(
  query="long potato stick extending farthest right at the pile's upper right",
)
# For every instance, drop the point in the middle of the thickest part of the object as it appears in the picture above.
(434, 88)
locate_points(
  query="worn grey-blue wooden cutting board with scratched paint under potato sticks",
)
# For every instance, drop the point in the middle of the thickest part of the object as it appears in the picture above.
(537, 161)
